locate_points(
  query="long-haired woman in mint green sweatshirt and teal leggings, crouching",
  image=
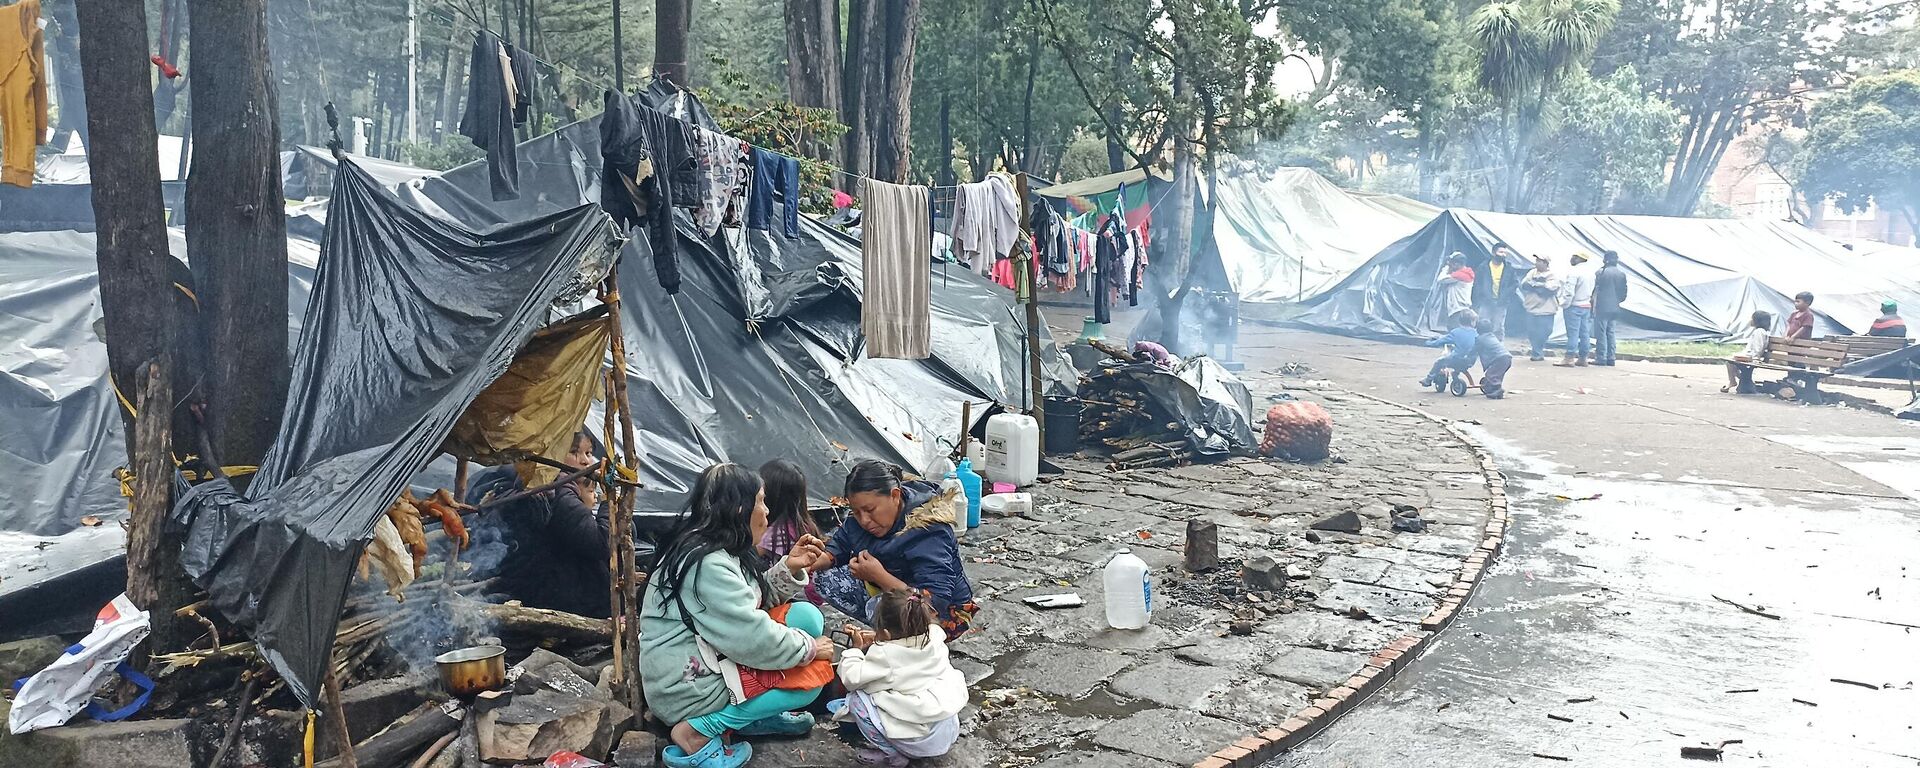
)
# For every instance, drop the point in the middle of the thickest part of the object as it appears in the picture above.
(706, 617)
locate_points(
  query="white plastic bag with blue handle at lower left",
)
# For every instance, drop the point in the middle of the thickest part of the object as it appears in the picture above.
(66, 686)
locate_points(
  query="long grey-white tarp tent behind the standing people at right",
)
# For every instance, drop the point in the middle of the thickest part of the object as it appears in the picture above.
(1687, 277)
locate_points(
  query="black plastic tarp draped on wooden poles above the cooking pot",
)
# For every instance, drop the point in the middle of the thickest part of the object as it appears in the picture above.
(410, 320)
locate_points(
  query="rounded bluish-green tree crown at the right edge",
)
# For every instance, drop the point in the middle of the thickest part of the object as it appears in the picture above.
(1863, 145)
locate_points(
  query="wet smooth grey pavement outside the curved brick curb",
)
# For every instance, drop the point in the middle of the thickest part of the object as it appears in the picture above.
(1643, 504)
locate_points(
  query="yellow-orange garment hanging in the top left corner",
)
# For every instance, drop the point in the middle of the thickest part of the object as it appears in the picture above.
(22, 91)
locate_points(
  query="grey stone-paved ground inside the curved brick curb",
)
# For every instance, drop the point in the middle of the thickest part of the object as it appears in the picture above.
(1057, 688)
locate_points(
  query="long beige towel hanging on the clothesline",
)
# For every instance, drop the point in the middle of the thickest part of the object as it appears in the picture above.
(896, 302)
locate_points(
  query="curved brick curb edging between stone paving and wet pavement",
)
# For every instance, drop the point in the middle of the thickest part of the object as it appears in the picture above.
(1395, 658)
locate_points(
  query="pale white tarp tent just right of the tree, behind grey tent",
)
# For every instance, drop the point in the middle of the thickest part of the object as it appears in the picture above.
(1291, 233)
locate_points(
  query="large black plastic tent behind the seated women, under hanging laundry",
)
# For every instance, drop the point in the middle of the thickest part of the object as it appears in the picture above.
(759, 354)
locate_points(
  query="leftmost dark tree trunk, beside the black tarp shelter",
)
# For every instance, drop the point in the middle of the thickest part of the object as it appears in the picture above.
(135, 276)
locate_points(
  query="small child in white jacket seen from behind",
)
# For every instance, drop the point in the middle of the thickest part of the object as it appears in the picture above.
(903, 694)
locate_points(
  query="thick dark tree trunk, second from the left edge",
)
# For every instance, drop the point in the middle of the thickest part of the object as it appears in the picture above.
(237, 243)
